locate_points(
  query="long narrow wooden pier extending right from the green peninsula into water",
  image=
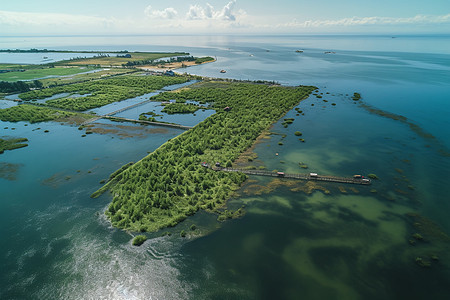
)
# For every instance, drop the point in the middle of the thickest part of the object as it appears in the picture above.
(357, 179)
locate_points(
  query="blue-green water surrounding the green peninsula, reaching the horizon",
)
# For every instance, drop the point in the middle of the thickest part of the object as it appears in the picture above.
(335, 242)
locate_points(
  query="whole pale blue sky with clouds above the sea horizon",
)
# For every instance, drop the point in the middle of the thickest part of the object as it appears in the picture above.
(49, 17)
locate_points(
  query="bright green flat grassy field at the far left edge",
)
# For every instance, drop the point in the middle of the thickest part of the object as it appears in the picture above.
(40, 73)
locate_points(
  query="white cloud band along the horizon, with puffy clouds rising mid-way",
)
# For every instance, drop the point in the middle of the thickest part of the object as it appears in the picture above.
(206, 18)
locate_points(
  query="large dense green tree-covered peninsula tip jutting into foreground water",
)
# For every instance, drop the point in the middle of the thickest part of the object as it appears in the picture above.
(170, 184)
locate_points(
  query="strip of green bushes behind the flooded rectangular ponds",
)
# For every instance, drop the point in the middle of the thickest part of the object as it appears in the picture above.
(101, 92)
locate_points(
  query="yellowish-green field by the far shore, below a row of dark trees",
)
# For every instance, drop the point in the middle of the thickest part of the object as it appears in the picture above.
(114, 61)
